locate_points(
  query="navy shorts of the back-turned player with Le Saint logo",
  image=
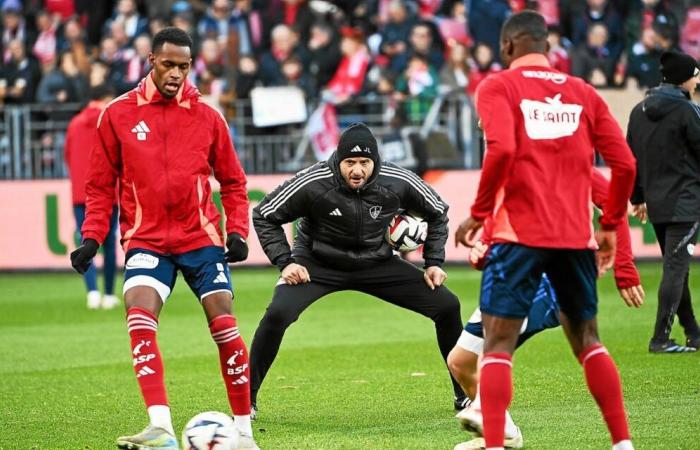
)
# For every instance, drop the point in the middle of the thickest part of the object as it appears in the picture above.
(513, 273)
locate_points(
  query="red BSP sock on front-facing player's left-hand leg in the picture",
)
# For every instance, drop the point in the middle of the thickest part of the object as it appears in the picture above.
(148, 363)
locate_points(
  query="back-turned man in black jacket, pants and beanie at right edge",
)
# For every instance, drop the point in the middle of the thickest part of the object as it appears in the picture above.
(664, 134)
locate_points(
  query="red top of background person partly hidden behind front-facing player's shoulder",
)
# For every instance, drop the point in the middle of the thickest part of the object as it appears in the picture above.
(80, 139)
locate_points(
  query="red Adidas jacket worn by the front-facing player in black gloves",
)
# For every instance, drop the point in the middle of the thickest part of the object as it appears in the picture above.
(163, 151)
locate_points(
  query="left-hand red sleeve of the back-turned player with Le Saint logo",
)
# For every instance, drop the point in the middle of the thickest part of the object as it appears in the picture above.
(498, 123)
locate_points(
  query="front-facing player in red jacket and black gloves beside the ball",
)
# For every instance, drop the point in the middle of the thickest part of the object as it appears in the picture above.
(161, 143)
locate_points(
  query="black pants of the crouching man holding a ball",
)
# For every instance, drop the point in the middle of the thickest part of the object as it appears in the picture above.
(395, 281)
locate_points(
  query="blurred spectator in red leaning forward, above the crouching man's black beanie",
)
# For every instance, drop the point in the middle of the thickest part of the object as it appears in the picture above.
(350, 76)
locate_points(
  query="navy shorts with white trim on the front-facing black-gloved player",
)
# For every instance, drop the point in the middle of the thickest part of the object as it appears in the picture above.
(204, 269)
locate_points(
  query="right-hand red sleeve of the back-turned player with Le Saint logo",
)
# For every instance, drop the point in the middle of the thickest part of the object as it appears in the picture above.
(610, 142)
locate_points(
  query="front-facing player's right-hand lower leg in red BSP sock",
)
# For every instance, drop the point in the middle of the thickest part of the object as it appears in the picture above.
(233, 357)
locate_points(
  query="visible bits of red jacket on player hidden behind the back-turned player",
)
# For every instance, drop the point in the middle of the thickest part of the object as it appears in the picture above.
(626, 274)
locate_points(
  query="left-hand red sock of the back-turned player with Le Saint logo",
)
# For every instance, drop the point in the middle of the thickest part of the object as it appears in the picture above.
(496, 390)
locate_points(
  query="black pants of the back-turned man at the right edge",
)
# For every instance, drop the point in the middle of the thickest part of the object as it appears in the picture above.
(676, 241)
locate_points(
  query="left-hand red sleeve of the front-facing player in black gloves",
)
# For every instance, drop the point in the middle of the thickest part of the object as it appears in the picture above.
(102, 177)
